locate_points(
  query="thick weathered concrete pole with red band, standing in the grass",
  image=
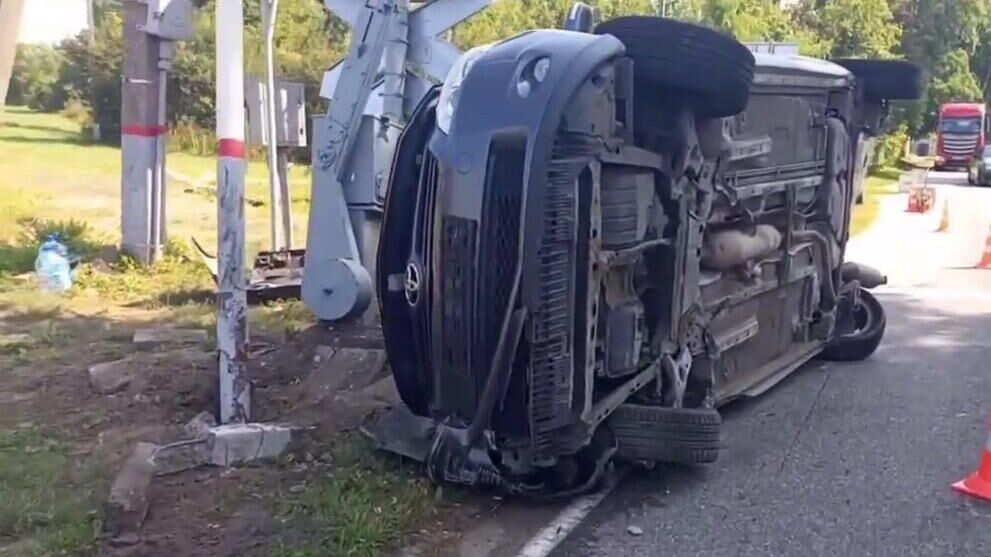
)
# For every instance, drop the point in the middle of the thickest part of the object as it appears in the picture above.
(142, 230)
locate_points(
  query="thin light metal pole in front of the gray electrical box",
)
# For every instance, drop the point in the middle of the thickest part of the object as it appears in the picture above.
(270, 10)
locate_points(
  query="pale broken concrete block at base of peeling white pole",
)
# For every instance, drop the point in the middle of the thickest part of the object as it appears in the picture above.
(236, 444)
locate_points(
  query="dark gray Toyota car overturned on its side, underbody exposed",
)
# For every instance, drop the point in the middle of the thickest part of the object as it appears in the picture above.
(592, 240)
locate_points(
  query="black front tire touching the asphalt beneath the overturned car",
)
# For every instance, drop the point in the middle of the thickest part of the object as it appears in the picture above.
(676, 435)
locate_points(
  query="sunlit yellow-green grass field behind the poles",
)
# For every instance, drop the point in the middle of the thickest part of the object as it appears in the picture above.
(48, 172)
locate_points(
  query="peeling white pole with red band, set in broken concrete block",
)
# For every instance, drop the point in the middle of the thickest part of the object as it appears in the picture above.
(232, 324)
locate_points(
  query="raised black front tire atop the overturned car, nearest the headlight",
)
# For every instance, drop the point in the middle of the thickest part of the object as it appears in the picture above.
(704, 68)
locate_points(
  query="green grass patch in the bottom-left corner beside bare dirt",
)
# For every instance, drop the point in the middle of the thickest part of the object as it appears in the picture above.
(46, 497)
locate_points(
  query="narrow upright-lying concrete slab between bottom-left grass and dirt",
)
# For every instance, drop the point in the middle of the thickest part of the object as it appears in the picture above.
(127, 504)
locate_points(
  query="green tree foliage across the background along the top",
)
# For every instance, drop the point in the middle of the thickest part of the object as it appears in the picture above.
(309, 39)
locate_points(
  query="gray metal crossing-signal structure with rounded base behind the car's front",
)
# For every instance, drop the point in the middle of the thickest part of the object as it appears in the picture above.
(393, 61)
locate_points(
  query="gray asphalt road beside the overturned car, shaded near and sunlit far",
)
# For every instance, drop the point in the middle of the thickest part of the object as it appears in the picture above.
(854, 459)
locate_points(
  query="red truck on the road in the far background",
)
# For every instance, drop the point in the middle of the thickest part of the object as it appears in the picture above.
(961, 133)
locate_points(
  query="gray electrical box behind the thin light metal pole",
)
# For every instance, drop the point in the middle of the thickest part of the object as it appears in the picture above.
(290, 112)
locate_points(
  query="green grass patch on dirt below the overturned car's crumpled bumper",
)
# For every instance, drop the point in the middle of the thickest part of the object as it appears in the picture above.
(361, 508)
